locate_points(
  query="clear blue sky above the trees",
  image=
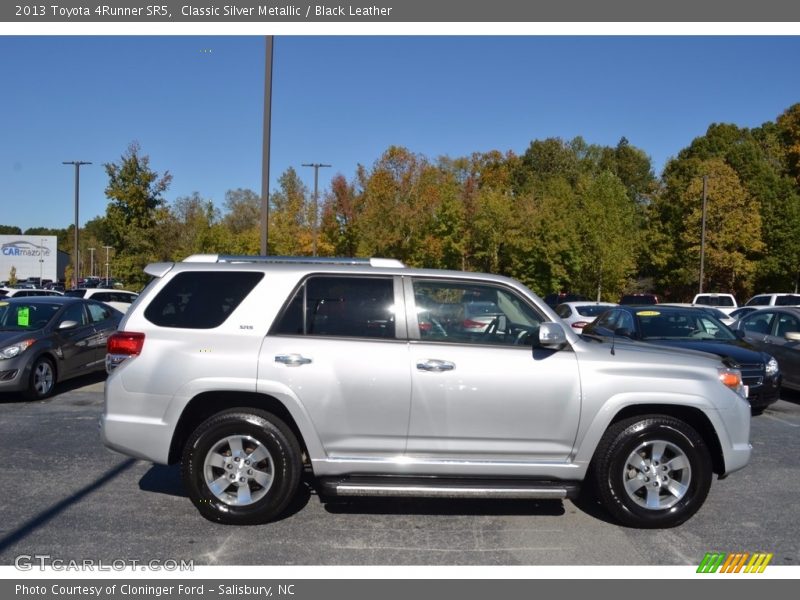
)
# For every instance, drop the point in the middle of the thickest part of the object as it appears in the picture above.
(195, 103)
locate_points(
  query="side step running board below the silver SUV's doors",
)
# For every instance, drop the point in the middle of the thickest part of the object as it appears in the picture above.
(446, 487)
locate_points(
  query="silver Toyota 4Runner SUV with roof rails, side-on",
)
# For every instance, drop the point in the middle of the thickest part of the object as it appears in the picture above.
(376, 379)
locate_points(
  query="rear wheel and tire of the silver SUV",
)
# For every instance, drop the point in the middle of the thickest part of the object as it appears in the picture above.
(212, 455)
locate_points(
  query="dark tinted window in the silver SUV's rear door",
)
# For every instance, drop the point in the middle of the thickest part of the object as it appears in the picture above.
(339, 306)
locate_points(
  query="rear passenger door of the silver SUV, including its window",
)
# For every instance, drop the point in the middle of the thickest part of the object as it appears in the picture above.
(339, 346)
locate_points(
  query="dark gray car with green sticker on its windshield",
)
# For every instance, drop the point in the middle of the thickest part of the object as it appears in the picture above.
(44, 340)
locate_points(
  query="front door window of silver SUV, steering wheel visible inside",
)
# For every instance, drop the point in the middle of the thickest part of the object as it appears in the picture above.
(464, 312)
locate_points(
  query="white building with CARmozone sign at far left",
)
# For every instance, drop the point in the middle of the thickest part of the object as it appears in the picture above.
(33, 256)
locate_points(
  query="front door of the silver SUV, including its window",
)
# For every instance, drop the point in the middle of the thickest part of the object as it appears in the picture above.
(480, 392)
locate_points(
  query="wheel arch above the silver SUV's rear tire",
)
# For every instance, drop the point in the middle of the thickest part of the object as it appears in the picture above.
(207, 404)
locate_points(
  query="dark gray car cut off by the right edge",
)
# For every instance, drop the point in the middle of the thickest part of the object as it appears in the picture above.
(777, 331)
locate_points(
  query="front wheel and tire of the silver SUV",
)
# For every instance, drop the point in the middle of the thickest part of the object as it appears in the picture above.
(670, 482)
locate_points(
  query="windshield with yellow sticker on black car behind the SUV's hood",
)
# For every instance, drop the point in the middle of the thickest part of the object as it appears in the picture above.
(681, 325)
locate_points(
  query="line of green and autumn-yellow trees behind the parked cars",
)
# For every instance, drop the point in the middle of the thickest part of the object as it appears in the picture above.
(563, 215)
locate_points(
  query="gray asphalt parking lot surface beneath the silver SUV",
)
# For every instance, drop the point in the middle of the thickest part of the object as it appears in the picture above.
(65, 495)
